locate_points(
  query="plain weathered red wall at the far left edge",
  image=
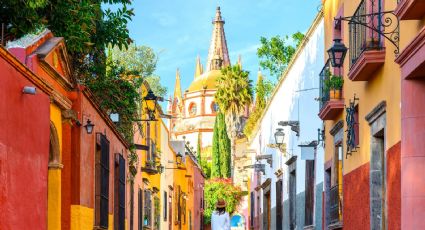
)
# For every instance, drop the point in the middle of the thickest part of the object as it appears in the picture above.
(24, 146)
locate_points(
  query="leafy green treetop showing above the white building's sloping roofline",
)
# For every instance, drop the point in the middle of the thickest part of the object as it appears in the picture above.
(276, 53)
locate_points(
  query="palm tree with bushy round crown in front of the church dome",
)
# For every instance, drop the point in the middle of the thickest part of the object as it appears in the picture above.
(234, 93)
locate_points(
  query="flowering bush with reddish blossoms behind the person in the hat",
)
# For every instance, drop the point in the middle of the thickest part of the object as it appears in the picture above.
(221, 188)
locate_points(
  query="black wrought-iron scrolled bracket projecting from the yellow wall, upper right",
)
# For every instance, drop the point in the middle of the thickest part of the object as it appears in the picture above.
(384, 23)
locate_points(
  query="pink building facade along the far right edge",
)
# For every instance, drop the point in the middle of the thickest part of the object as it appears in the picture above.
(412, 65)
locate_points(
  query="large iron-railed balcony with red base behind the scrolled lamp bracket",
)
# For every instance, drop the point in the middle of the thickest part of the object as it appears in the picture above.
(367, 53)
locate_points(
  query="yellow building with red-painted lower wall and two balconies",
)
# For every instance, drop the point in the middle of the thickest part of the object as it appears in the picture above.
(361, 118)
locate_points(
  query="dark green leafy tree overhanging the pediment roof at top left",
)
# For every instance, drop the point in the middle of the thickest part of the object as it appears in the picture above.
(87, 26)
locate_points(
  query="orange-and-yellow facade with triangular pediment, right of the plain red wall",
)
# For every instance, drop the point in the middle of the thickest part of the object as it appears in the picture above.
(87, 168)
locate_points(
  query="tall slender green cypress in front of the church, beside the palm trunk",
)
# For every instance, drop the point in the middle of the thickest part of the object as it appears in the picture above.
(225, 148)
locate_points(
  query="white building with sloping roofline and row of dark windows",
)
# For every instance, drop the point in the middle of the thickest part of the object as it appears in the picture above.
(280, 197)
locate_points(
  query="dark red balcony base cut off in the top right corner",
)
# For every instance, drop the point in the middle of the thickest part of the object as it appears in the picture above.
(410, 9)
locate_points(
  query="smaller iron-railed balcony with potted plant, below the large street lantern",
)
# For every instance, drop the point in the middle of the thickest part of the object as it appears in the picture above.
(330, 101)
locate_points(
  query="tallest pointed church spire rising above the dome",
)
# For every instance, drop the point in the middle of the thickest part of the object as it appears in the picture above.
(218, 55)
